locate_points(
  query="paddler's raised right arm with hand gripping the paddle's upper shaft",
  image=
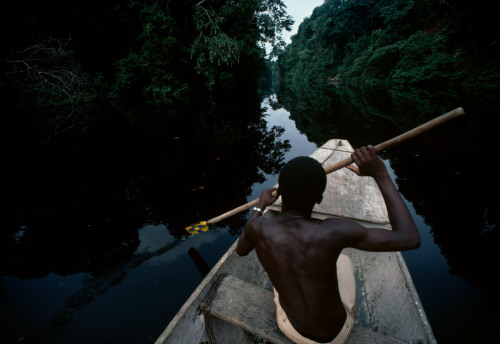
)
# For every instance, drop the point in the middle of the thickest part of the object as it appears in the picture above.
(404, 234)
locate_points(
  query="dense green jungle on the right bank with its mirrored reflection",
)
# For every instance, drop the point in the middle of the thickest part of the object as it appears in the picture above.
(397, 61)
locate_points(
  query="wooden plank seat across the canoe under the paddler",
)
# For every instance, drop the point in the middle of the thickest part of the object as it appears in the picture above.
(252, 309)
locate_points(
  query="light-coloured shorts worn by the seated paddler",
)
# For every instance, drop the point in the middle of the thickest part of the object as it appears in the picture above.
(347, 289)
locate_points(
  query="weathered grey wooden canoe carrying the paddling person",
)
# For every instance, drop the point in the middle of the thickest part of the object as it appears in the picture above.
(388, 308)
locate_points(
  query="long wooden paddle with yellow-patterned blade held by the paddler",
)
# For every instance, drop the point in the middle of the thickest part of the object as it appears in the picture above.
(194, 229)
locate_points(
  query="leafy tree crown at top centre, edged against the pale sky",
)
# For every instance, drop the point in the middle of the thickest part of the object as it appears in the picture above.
(227, 30)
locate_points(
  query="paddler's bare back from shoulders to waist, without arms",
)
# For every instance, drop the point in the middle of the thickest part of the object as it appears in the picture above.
(300, 258)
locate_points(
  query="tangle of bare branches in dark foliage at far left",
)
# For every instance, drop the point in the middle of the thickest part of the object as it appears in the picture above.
(57, 96)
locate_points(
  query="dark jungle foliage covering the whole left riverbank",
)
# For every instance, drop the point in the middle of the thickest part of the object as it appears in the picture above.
(73, 70)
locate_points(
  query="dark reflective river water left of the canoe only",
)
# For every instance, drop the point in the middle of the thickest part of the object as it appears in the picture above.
(107, 218)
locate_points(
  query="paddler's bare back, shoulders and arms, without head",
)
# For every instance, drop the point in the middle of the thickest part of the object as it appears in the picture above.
(300, 254)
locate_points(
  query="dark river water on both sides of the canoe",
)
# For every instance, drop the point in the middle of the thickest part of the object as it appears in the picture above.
(102, 257)
